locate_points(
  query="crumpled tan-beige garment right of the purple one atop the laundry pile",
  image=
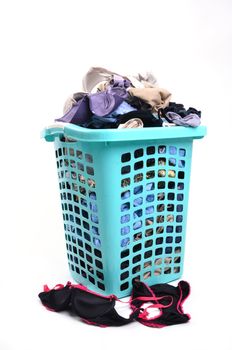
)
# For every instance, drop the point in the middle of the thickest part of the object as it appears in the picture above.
(156, 97)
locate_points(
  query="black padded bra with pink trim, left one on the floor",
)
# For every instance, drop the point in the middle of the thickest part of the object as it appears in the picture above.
(91, 307)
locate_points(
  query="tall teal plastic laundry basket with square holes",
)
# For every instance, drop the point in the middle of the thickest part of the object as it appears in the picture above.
(124, 197)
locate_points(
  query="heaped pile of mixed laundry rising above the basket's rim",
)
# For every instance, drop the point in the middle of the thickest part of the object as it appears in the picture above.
(110, 101)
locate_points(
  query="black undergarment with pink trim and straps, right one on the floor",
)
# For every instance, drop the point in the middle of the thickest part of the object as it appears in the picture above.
(170, 299)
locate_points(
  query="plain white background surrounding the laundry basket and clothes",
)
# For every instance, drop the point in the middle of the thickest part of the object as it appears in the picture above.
(46, 47)
